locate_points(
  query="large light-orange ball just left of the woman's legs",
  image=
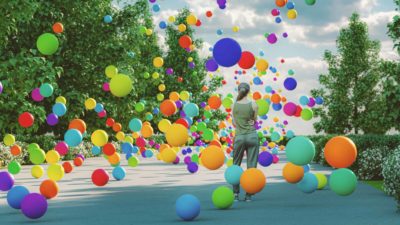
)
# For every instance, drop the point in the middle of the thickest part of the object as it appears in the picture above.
(212, 157)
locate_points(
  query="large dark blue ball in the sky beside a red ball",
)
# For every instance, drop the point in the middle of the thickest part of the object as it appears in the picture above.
(227, 52)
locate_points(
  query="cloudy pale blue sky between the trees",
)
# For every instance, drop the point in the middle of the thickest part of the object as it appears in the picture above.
(314, 31)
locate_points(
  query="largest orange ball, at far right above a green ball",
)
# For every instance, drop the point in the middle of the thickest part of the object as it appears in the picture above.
(340, 152)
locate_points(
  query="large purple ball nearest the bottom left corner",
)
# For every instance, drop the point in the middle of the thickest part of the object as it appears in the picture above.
(34, 206)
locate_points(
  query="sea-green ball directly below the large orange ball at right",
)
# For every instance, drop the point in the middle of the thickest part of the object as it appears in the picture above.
(343, 181)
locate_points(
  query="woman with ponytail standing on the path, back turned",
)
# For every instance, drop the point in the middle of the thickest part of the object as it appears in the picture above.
(246, 137)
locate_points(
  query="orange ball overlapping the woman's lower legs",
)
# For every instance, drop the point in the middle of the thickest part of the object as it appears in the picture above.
(252, 180)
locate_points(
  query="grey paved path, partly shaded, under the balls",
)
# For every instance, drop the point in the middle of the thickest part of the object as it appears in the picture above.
(148, 193)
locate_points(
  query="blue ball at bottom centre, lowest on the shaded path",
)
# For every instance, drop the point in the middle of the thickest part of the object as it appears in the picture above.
(187, 207)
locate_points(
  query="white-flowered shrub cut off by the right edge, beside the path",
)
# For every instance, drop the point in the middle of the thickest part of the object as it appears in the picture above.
(391, 174)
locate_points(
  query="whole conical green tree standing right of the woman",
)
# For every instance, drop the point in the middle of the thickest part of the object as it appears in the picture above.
(352, 87)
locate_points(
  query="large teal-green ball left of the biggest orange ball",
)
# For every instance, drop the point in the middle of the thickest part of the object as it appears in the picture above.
(300, 150)
